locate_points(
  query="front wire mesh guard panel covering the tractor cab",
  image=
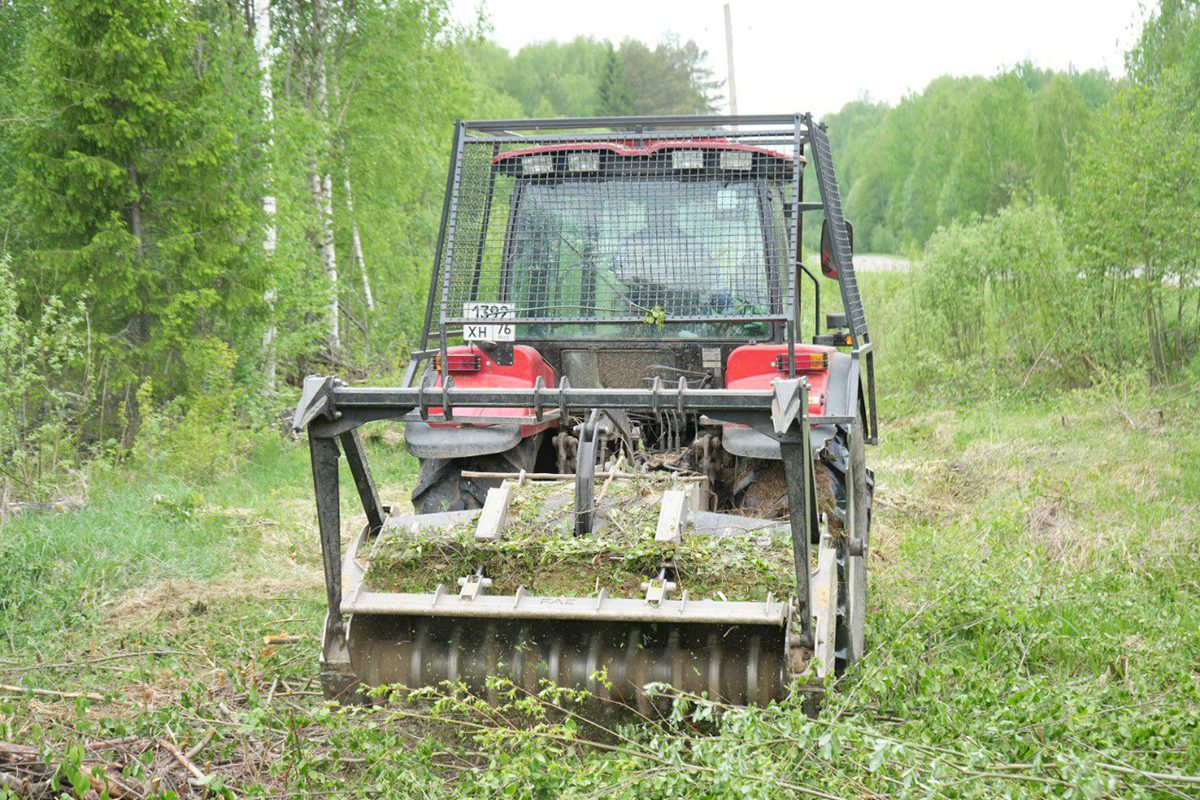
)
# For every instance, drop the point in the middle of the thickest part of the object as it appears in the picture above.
(685, 231)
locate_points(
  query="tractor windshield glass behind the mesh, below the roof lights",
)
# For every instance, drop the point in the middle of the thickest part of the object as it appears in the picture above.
(653, 250)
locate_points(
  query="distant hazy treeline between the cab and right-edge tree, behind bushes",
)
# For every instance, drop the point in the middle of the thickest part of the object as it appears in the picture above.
(962, 148)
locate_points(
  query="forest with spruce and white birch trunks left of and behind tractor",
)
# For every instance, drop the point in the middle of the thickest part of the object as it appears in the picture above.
(208, 200)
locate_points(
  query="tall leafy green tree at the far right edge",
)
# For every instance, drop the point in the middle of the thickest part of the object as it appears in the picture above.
(1136, 206)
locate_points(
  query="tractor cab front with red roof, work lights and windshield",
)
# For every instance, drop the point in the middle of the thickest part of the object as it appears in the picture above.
(688, 232)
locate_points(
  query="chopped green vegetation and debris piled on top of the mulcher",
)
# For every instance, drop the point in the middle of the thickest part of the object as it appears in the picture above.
(541, 552)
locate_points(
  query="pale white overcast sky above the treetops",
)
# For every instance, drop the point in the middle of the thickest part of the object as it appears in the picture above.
(819, 56)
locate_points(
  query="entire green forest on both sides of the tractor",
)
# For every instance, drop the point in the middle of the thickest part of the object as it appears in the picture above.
(207, 200)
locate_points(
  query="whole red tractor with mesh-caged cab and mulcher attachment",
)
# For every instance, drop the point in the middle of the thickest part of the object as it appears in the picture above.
(614, 413)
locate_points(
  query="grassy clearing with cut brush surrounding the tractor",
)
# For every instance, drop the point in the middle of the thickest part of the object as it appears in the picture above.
(1035, 631)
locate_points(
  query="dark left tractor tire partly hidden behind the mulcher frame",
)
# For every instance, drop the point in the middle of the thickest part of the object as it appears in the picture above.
(441, 485)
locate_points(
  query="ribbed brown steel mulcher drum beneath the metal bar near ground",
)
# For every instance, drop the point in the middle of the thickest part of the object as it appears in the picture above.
(613, 661)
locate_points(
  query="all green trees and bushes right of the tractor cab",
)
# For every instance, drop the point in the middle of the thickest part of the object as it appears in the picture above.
(1055, 218)
